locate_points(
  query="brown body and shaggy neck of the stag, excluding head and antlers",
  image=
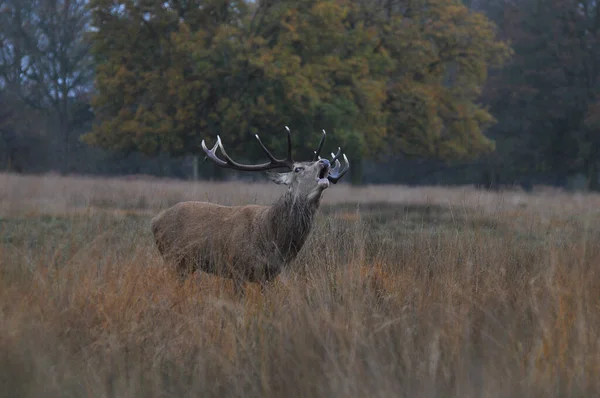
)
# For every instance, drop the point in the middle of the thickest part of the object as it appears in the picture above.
(238, 242)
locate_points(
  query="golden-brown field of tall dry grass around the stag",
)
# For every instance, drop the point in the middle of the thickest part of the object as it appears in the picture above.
(414, 292)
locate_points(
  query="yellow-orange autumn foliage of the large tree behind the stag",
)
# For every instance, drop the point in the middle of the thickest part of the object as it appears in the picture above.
(404, 77)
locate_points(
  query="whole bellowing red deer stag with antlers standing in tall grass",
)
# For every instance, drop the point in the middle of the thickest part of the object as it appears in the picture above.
(248, 243)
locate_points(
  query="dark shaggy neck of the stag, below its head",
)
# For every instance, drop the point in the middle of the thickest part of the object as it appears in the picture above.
(290, 221)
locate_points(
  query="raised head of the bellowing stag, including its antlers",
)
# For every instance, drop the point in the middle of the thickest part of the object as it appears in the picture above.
(307, 179)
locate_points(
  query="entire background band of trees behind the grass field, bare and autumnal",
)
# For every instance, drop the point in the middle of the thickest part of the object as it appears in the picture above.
(436, 91)
